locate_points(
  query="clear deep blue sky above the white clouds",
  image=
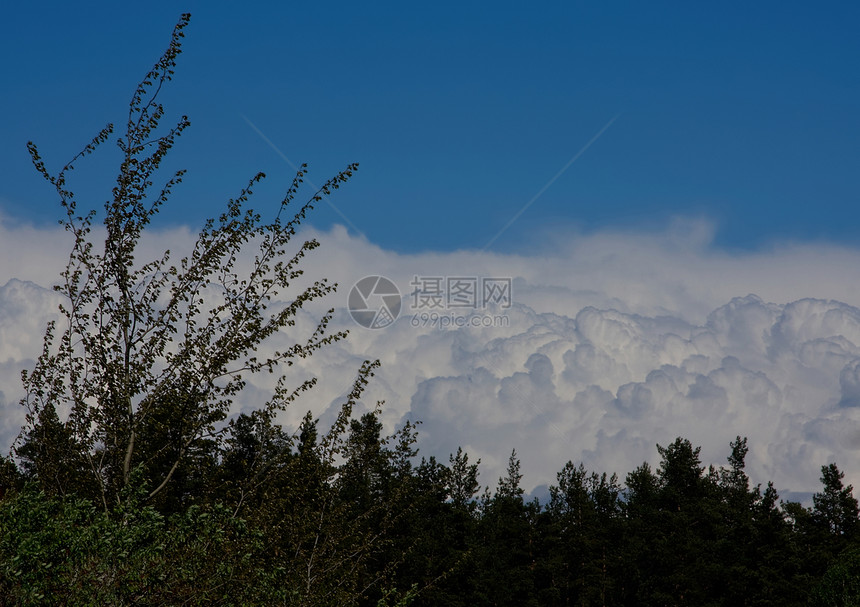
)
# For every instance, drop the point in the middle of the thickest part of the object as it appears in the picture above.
(459, 114)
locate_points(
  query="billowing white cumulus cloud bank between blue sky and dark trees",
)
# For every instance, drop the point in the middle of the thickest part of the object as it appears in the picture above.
(613, 342)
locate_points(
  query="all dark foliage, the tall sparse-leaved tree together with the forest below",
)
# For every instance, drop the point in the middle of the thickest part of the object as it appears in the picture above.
(131, 485)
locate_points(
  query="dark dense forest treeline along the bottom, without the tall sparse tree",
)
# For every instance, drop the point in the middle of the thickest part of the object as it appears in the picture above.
(264, 517)
